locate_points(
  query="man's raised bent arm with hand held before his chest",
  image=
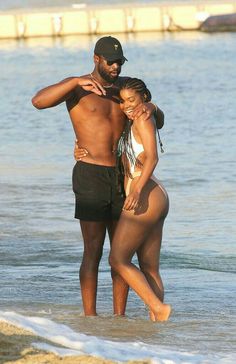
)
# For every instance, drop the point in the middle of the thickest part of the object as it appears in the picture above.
(56, 94)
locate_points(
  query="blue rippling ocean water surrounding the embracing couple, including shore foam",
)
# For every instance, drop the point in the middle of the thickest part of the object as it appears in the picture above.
(192, 78)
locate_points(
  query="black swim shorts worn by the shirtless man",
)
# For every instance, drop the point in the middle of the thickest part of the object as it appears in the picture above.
(98, 194)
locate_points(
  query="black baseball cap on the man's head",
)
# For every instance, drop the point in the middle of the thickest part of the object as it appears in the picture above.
(110, 48)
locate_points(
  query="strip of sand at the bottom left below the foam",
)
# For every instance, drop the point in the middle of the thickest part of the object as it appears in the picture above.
(16, 348)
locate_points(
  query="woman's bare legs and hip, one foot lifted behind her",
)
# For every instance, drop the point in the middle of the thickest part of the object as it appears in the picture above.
(136, 232)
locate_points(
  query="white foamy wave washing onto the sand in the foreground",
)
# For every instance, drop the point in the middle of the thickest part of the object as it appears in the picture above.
(74, 343)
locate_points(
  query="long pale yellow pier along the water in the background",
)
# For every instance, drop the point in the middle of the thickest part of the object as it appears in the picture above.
(82, 19)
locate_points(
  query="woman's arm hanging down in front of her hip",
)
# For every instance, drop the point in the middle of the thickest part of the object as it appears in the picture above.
(147, 132)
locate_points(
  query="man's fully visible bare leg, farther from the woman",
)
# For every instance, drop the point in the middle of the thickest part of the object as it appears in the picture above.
(94, 236)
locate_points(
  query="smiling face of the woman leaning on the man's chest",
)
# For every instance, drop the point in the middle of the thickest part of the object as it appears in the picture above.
(130, 99)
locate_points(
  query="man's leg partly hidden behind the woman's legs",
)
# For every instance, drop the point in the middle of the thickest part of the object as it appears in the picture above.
(120, 287)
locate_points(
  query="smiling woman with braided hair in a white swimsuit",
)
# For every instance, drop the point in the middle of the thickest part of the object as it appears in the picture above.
(146, 206)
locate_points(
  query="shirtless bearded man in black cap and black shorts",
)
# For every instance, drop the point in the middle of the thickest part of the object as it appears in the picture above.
(93, 104)
